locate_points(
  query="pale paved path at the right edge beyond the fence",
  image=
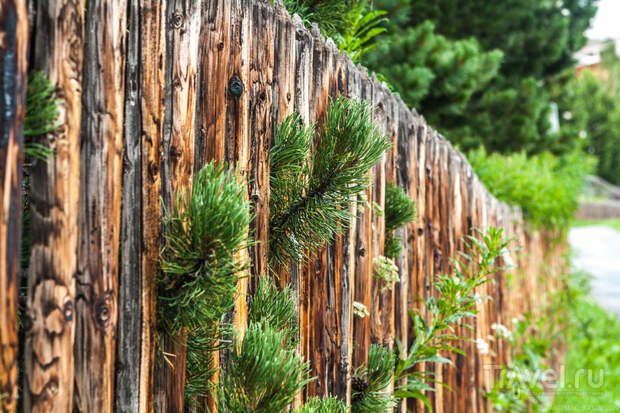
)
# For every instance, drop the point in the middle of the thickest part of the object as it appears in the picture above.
(597, 251)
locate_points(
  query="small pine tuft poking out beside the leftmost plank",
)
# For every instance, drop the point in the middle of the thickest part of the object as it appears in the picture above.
(41, 114)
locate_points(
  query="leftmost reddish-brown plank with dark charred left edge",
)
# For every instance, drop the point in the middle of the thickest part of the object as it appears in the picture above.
(13, 65)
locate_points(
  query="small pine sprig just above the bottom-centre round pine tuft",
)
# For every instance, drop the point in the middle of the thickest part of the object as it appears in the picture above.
(276, 308)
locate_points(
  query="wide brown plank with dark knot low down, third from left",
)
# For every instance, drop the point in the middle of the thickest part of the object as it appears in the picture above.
(100, 206)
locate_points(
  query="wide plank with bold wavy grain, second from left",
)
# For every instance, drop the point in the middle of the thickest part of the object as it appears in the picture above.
(49, 360)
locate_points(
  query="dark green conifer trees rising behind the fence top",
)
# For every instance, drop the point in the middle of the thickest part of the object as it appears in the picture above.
(482, 68)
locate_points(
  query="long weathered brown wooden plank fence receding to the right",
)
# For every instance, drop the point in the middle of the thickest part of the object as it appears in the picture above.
(150, 91)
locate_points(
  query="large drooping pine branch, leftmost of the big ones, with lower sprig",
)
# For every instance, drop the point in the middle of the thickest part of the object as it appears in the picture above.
(197, 283)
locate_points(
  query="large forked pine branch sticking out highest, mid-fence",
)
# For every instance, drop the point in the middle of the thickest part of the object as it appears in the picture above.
(311, 193)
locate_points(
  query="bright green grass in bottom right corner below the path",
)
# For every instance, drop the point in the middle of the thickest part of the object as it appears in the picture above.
(593, 351)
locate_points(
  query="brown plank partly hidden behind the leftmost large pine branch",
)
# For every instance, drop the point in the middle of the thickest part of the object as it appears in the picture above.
(183, 45)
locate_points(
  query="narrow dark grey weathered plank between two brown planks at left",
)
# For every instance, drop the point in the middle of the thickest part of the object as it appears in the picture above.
(130, 370)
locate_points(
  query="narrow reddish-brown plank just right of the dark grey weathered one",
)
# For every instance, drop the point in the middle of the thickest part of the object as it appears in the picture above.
(151, 78)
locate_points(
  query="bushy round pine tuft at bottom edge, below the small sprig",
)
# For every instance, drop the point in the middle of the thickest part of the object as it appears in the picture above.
(261, 375)
